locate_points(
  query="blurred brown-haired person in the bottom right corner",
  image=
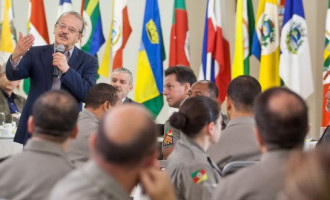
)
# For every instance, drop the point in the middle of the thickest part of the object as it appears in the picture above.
(308, 176)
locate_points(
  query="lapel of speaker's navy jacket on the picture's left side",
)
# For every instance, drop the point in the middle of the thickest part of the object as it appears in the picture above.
(47, 60)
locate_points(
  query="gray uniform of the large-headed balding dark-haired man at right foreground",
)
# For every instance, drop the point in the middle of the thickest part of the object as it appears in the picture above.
(261, 181)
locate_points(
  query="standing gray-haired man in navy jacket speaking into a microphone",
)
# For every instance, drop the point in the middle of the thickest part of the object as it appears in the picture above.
(50, 67)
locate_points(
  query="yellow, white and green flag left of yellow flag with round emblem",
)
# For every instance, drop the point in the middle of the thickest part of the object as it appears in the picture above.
(244, 35)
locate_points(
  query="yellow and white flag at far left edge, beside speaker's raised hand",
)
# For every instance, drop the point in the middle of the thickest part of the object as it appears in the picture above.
(7, 38)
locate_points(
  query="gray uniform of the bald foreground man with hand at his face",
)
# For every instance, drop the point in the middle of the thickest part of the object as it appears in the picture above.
(88, 182)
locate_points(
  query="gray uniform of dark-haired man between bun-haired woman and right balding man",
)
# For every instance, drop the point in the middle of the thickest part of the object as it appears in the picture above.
(237, 143)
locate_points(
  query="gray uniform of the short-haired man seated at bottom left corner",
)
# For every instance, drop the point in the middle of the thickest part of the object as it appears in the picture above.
(34, 172)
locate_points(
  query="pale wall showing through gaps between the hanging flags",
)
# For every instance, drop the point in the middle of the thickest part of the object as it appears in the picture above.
(315, 12)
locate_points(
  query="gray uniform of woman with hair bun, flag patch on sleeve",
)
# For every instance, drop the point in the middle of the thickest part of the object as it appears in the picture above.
(192, 172)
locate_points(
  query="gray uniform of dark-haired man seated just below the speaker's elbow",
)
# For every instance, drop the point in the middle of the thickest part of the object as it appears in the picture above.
(78, 151)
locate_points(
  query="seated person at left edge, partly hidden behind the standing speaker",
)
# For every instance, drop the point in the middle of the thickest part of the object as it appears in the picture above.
(10, 103)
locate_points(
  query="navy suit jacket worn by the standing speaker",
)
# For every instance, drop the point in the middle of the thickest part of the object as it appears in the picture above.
(37, 64)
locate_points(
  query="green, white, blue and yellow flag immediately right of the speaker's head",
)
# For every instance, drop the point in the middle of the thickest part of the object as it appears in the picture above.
(93, 39)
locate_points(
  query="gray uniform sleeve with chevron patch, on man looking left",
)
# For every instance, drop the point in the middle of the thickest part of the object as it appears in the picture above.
(171, 135)
